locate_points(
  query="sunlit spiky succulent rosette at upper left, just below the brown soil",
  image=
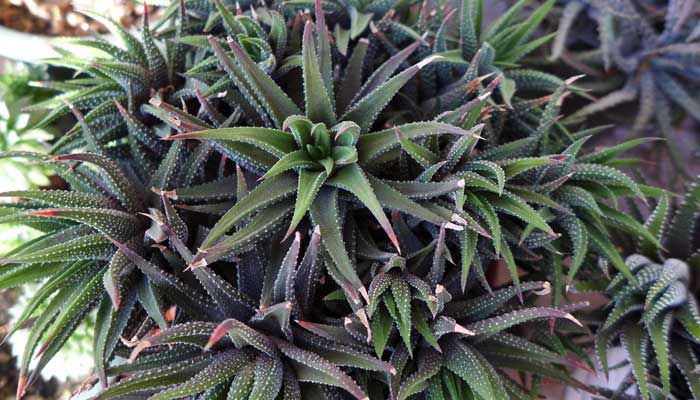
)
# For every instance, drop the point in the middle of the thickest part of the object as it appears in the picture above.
(130, 73)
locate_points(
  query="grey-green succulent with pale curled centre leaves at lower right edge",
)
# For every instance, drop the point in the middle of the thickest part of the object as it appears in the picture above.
(657, 319)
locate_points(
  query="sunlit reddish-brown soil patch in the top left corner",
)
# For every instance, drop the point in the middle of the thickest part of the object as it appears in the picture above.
(62, 17)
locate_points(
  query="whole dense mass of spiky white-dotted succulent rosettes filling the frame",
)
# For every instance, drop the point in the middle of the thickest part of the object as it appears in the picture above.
(314, 200)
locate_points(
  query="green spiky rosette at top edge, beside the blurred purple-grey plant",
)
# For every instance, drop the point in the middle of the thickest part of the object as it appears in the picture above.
(497, 49)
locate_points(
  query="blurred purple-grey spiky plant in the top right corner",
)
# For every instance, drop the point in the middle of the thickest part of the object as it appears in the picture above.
(640, 55)
